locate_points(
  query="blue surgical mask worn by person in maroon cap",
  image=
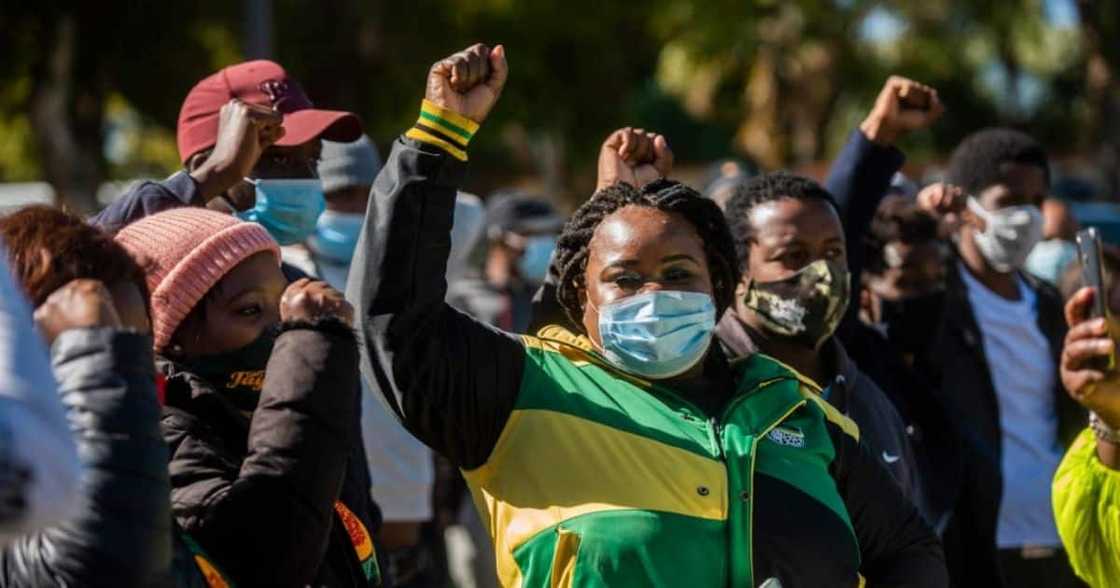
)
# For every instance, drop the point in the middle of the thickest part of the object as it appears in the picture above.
(288, 209)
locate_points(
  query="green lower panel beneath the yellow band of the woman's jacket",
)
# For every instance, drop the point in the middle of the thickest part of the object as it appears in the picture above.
(621, 549)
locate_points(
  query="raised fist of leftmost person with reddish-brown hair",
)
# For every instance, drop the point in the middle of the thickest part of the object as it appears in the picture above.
(81, 304)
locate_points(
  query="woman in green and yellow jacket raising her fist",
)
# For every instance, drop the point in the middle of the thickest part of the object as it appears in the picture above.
(631, 453)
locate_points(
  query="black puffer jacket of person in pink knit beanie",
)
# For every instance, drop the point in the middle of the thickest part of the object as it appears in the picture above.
(258, 494)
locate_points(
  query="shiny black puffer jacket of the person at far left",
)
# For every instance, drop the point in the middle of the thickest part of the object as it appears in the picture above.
(123, 536)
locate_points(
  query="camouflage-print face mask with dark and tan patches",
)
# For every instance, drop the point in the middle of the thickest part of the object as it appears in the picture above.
(806, 307)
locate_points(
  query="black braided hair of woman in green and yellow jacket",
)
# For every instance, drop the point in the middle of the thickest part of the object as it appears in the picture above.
(573, 247)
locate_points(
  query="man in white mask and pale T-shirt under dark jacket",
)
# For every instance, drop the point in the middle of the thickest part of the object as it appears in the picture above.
(994, 360)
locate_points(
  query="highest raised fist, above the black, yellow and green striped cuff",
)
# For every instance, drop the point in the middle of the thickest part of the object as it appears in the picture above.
(469, 82)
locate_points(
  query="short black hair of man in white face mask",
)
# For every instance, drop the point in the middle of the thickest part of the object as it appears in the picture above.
(978, 162)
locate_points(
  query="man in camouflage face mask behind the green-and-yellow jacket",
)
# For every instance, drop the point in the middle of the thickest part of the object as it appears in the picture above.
(795, 293)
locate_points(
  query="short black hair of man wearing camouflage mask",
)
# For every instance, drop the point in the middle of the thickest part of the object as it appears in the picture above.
(766, 189)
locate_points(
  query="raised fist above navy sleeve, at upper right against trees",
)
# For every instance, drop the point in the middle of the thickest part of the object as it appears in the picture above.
(903, 106)
